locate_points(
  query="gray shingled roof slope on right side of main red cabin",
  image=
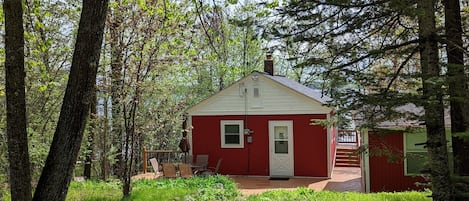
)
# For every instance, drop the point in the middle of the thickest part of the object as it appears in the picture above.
(294, 85)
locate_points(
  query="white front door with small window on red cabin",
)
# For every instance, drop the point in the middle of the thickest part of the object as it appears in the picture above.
(281, 148)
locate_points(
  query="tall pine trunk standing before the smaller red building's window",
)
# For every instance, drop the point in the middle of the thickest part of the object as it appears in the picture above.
(433, 102)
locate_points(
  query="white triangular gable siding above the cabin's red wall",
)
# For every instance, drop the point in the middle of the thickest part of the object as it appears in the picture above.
(274, 99)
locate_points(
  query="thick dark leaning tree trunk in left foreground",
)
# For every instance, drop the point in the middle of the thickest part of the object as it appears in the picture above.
(57, 173)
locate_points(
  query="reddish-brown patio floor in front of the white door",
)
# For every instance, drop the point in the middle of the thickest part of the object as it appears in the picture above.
(343, 179)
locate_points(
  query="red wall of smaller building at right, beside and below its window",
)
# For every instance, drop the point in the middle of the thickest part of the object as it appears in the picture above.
(386, 175)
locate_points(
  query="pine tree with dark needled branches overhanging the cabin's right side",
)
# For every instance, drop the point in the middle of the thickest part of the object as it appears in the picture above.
(375, 56)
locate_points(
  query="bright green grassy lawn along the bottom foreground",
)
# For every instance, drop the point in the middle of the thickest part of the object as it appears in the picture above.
(215, 188)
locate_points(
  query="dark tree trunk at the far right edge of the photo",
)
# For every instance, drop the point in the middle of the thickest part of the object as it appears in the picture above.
(457, 85)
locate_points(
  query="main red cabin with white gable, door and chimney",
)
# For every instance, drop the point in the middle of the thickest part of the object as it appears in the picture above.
(264, 125)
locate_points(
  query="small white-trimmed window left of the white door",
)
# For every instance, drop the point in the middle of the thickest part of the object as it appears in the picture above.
(232, 133)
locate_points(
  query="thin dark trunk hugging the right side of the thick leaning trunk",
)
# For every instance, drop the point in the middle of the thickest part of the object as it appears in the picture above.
(91, 133)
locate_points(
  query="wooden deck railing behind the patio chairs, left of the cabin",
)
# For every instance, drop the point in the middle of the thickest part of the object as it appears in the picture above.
(170, 156)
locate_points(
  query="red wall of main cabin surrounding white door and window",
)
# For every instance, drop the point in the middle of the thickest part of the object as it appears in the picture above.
(309, 142)
